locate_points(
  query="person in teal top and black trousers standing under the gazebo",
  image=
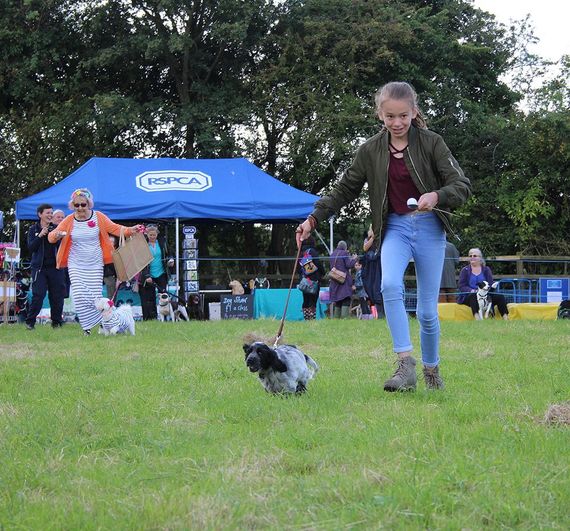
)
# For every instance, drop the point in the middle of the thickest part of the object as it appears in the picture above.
(154, 276)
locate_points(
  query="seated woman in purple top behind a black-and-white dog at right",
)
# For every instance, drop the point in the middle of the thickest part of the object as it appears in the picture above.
(477, 271)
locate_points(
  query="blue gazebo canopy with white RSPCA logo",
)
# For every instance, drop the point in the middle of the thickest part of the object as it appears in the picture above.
(164, 188)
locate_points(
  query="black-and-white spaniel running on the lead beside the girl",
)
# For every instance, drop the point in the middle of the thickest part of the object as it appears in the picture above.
(282, 370)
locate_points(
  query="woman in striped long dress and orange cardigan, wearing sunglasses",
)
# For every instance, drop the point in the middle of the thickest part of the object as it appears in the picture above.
(84, 250)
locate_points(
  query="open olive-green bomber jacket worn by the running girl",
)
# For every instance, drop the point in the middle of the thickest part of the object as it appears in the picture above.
(429, 161)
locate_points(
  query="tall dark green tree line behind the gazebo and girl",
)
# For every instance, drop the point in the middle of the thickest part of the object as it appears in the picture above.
(288, 84)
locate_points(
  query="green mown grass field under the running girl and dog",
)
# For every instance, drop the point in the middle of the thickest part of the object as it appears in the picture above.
(168, 430)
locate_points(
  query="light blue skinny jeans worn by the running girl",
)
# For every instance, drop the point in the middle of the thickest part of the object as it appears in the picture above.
(419, 236)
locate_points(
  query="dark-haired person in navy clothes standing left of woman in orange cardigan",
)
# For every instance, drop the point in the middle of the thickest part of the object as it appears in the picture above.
(45, 276)
